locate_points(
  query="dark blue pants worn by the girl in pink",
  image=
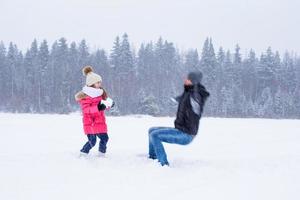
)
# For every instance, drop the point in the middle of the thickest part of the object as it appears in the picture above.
(92, 142)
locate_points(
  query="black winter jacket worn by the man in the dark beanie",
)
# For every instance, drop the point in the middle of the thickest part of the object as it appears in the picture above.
(190, 108)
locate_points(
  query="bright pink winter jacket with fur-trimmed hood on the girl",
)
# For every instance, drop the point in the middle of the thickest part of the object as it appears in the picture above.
(94, 121)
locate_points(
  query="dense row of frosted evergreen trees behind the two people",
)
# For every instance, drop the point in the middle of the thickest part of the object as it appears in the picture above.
(45, 78)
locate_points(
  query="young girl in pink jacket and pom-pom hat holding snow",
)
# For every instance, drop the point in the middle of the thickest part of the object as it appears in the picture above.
(94, 101)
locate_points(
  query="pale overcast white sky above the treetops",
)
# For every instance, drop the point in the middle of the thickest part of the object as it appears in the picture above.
(253, 24)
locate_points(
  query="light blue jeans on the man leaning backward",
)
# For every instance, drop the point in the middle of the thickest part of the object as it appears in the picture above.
(157, 135)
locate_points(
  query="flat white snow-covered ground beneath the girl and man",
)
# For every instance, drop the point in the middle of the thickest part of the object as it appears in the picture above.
(235, 159)
